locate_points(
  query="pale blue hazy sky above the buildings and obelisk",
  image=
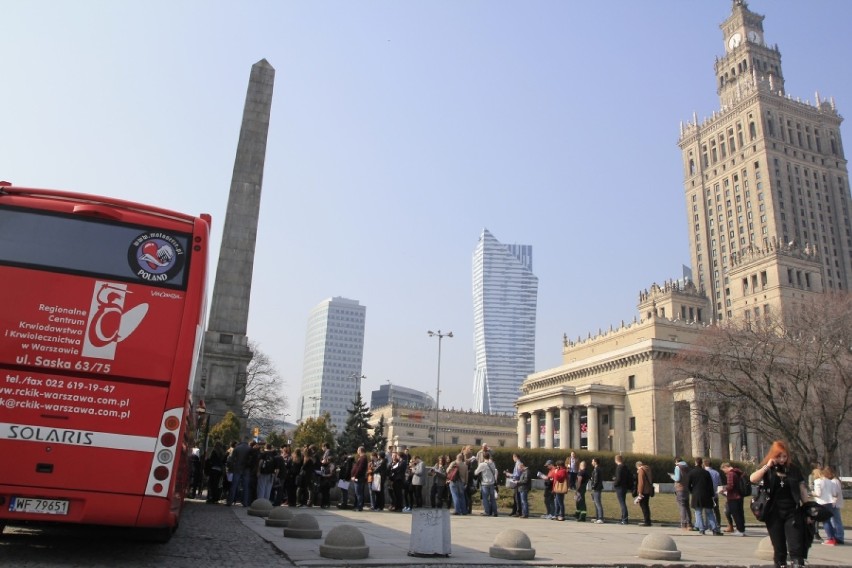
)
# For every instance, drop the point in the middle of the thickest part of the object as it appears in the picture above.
(399, 131)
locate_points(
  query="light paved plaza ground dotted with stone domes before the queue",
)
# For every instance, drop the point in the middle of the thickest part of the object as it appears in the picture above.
(566, 543)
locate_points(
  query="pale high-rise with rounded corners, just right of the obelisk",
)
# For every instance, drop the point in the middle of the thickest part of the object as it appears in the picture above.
(334, 350)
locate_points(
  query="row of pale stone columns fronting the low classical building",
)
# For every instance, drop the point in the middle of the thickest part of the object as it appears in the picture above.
(563, 427)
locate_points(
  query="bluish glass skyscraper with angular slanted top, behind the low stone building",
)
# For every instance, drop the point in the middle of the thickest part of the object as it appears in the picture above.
(505, 292)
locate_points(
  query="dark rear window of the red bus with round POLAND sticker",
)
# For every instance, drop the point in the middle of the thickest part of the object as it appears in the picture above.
(75, 245)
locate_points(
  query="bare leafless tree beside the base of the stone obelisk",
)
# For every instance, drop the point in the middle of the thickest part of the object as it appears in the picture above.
(264, 400)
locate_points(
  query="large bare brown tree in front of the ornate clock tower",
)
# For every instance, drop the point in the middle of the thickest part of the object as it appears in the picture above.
(789, 379)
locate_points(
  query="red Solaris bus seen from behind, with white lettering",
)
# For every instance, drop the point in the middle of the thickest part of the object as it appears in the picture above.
(100, 331)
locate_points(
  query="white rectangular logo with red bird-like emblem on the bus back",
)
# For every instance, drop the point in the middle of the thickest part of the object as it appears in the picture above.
(110, 322)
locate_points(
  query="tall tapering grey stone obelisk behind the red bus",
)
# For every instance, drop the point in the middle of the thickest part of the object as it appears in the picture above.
(222, 372)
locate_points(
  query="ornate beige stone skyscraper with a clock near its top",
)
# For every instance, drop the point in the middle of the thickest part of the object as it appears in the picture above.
(766, 183)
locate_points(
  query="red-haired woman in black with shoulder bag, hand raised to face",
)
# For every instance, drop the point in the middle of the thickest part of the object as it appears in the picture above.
(785, 520)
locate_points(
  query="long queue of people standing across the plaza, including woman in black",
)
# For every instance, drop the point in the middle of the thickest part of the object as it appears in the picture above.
(394, 481)
